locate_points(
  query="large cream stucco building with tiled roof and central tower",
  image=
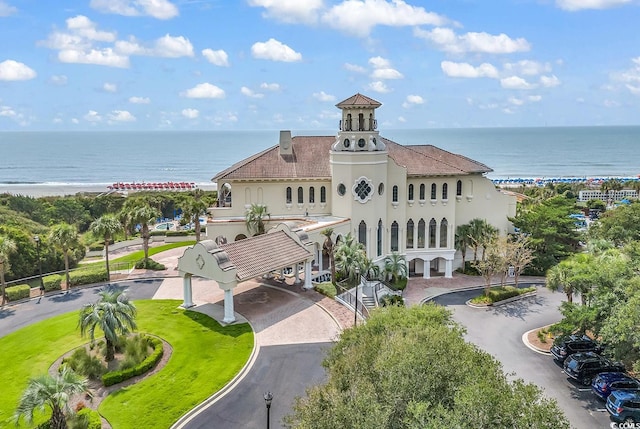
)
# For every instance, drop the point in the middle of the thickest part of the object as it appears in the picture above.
(392, 198)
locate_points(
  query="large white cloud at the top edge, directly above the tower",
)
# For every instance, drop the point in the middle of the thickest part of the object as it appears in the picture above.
(359, 17)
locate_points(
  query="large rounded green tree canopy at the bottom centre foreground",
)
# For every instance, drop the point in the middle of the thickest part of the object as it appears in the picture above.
(411, 368)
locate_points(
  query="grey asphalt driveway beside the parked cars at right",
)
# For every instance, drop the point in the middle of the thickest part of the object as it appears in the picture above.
(499, 330)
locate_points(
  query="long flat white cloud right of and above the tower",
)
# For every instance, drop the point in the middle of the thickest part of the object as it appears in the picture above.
(447, 40)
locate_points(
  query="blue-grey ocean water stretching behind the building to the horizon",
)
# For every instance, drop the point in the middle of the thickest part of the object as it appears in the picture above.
(108, 157)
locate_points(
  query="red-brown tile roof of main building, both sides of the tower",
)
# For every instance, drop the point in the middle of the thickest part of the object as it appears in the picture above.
(310, 160)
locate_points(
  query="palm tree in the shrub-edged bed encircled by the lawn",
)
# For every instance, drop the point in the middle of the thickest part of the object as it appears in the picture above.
(113, 313)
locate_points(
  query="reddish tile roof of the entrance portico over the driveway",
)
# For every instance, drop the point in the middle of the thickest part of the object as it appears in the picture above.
(264, 253)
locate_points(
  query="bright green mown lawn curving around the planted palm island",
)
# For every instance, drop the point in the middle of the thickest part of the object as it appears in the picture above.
(205, 357)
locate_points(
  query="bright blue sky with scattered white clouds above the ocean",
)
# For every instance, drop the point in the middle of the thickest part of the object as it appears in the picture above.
(101, 65)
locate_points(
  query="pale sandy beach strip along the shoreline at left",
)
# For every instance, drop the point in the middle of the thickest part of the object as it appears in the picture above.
(61, 189)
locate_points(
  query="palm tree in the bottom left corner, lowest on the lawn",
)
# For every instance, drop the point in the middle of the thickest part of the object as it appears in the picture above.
(54, 392)
